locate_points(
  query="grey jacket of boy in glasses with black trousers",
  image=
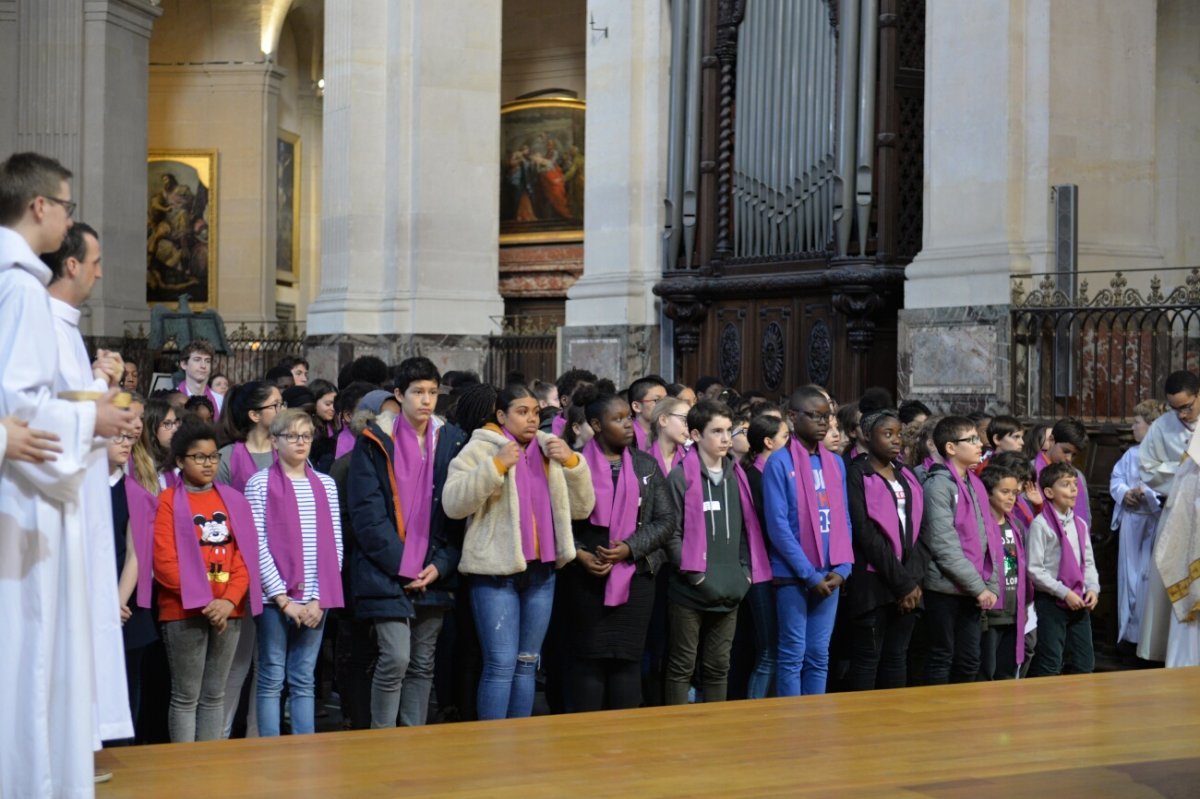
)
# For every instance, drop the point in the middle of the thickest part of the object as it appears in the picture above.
(950, 572)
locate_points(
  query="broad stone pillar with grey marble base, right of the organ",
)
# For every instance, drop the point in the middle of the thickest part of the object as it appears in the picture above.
(1022, 97)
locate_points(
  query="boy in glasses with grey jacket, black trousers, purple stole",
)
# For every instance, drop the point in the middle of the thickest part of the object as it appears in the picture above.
(968, 550)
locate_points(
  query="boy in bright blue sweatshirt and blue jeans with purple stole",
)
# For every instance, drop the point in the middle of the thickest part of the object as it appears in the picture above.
(808, 522)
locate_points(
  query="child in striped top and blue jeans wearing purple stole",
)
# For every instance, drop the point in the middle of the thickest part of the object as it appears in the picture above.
(301, 561)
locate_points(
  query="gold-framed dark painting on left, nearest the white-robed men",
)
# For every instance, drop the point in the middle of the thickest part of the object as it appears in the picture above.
(182, 227)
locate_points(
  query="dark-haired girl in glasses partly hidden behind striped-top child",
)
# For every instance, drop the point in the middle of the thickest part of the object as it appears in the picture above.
(248, 426)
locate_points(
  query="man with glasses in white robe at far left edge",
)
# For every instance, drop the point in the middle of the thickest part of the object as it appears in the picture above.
(47, 681)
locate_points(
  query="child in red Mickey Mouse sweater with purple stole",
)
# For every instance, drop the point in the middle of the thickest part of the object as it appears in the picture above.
(201, 532)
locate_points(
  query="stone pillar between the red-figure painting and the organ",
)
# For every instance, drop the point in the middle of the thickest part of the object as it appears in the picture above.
(613, 319)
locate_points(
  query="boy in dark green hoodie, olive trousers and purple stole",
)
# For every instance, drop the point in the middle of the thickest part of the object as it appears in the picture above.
(717, 551)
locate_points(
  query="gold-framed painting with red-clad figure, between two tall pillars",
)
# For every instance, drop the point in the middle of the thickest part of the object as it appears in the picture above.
(542, 171)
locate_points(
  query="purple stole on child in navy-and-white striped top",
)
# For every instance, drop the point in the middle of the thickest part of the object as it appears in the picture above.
(287, 545)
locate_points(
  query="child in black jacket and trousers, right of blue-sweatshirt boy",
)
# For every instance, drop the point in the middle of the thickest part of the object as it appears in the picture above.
(885, 594)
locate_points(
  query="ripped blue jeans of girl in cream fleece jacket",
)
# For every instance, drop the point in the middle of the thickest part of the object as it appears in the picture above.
(512, 616)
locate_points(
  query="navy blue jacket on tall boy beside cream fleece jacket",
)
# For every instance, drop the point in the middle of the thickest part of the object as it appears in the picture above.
(375, 562)
